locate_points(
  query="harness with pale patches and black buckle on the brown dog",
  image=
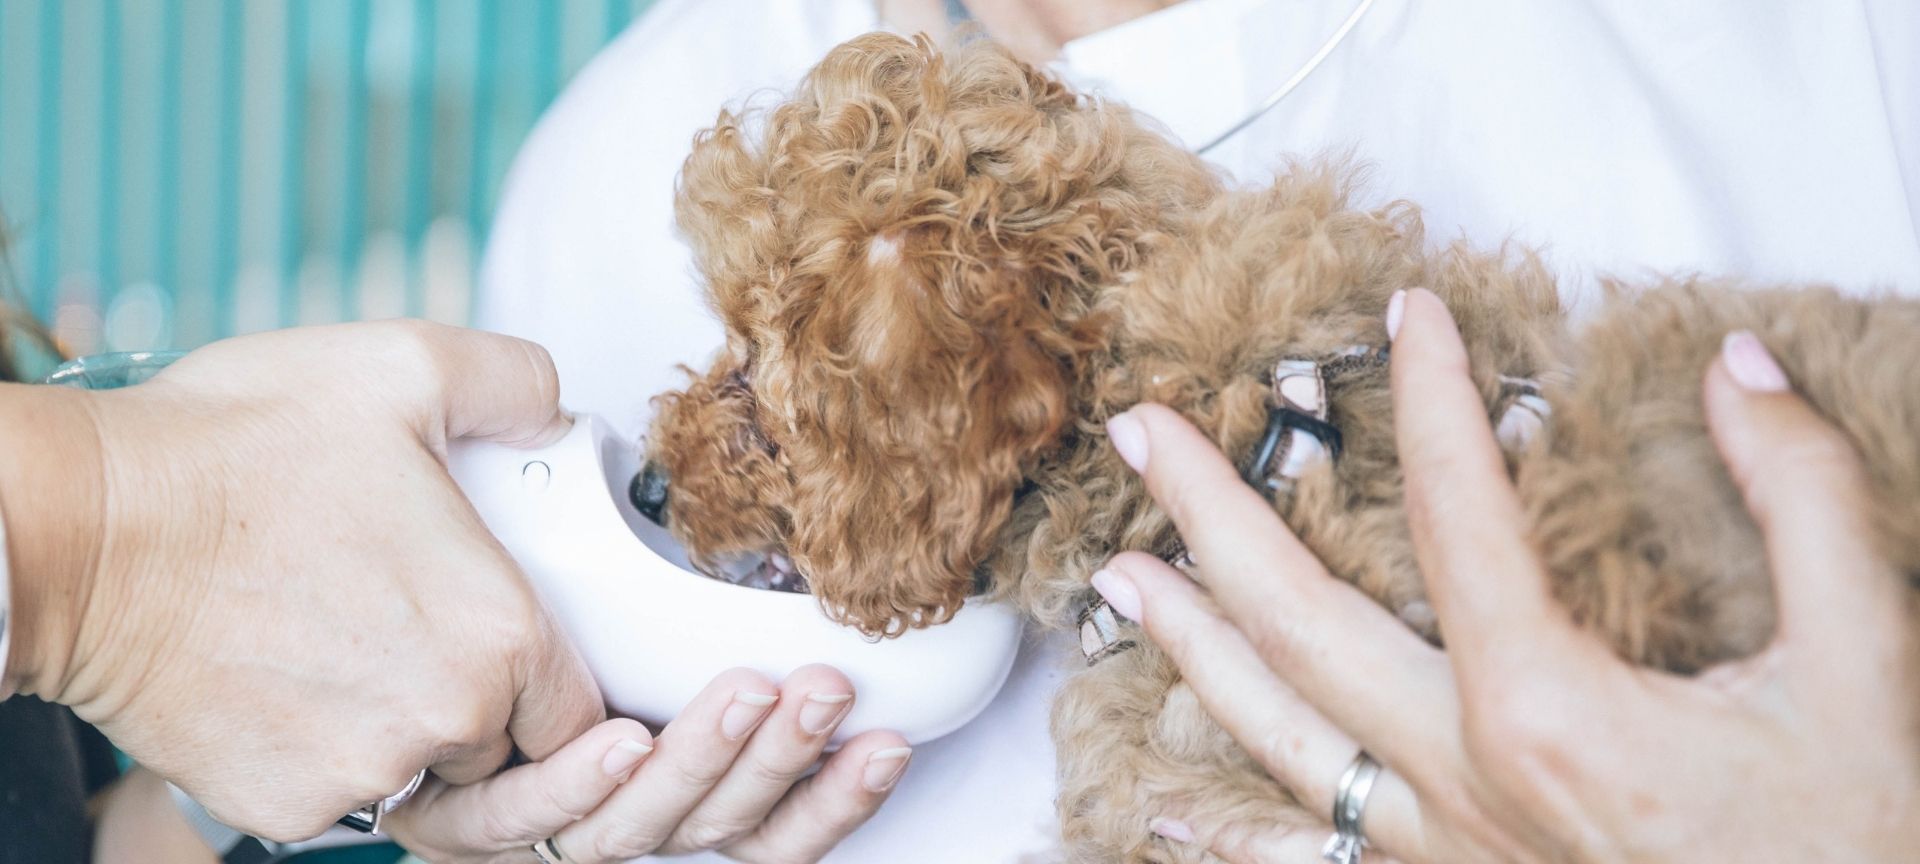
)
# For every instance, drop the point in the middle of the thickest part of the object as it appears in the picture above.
(1299, 437)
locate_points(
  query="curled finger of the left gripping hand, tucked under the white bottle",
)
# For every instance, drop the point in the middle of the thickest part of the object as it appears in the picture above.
(558, 698)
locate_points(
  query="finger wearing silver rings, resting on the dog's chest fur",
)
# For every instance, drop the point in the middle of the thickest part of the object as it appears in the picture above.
(1287, 736)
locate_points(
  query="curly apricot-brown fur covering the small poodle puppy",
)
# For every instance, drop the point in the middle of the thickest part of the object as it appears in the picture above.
(942, 274)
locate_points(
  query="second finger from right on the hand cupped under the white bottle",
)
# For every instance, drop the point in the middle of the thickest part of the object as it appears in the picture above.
(813, 702)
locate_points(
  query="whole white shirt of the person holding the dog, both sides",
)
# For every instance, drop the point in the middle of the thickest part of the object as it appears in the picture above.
(1771, 139)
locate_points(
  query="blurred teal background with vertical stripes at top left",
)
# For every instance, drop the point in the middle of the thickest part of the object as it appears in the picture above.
(174, 172)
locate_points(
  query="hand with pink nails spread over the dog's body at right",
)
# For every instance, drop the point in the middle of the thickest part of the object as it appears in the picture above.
(1529, 740)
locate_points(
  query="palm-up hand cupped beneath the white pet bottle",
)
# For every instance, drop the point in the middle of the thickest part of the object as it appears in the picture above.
(725, 775)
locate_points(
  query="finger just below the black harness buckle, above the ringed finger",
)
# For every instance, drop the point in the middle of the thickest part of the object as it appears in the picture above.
(1308, 627)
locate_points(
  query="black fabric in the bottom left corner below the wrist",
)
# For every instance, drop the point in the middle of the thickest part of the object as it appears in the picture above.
(51, 763)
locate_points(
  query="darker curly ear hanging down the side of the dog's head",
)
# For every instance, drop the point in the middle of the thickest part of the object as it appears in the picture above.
(919, 400)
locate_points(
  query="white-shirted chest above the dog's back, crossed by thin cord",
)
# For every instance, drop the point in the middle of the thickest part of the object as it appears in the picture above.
(1725, 137)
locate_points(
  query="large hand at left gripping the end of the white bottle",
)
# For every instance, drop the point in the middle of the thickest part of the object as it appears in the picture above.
(258, 579)
